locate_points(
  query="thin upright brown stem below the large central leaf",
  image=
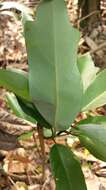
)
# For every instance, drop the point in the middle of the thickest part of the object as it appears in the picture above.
(42, 145)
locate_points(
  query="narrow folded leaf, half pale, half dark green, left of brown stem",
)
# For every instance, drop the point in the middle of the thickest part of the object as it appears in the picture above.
(25, 110)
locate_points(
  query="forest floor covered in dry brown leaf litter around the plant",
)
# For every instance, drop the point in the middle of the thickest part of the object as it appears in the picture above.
(21, 166)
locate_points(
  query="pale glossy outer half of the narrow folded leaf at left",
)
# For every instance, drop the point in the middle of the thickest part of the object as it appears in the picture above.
(16, 108)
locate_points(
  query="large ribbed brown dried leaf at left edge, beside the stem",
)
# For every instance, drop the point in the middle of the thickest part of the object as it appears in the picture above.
(10, 128)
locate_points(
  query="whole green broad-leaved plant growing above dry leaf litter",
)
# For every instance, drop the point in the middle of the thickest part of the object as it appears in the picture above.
(59, 85)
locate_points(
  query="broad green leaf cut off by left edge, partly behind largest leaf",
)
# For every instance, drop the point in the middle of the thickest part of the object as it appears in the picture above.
(16, 81)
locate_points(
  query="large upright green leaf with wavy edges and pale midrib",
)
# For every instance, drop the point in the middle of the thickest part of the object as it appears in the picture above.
(54, 78)
